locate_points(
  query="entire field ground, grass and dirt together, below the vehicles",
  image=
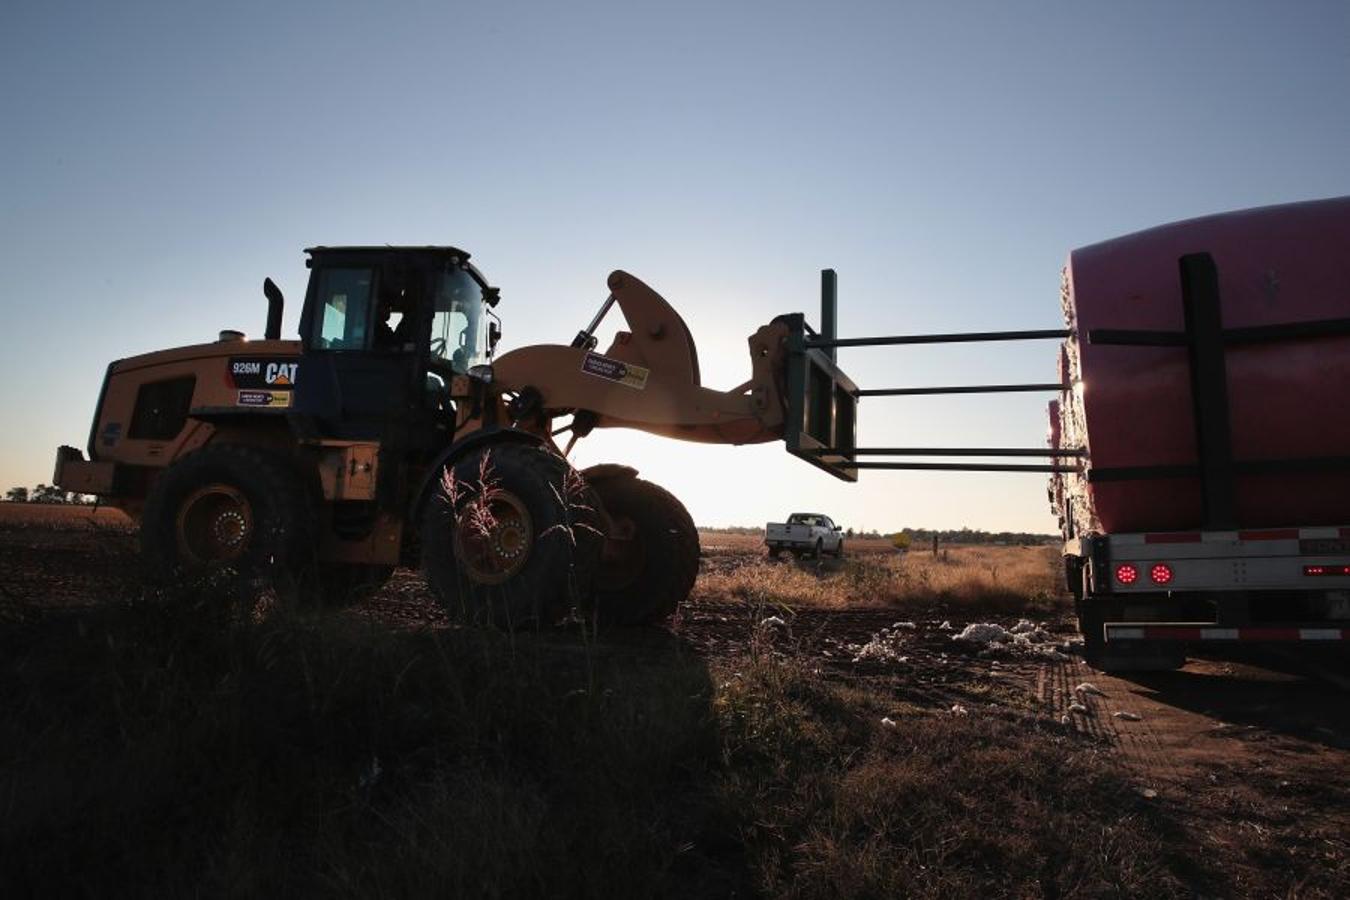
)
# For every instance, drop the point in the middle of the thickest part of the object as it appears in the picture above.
(800, 731)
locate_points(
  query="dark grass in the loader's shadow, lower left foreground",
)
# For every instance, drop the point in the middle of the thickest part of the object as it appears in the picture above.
(164, 750)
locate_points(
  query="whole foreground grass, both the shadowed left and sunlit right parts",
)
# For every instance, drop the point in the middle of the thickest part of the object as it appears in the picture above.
(161, 752)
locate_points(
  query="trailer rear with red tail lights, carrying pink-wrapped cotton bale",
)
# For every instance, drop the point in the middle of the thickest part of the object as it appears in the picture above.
(1208, 374)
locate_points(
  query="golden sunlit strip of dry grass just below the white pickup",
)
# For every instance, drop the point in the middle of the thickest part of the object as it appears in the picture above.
(1012, 580)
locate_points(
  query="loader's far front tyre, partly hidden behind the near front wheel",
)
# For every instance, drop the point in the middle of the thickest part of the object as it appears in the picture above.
(651, 554)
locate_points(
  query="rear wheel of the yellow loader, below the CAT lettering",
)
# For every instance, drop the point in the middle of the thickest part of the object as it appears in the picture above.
(226, 508)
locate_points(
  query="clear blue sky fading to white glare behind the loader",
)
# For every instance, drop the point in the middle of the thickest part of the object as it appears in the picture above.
(160, 160)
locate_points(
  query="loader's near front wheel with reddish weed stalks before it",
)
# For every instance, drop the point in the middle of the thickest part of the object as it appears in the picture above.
(508, 538)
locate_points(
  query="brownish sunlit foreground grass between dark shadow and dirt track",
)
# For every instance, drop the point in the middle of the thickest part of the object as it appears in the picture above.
(993, 805)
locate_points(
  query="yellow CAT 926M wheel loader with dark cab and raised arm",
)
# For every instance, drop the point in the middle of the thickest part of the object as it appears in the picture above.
(392, 434)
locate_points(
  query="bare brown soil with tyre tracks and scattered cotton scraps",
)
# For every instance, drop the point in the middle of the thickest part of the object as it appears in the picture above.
(1251, 748)
